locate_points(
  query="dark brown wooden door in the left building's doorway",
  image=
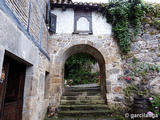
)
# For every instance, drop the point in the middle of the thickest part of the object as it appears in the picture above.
(14, 88)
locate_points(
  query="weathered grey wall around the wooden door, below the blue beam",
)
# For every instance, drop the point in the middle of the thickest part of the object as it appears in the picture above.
(12, 39)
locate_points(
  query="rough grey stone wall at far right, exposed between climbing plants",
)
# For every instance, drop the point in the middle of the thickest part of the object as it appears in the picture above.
(145, 47)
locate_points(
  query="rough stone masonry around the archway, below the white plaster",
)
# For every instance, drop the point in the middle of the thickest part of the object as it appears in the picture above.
(102, 47)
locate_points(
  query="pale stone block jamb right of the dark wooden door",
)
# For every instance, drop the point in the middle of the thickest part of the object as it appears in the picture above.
(30, 91)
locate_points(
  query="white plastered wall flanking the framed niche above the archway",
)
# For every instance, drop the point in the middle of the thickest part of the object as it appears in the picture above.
(65, 22)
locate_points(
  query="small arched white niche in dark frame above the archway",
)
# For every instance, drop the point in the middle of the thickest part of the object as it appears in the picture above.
(82, 22)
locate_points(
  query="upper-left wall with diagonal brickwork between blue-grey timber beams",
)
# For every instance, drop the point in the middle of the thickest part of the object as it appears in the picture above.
(30, 16)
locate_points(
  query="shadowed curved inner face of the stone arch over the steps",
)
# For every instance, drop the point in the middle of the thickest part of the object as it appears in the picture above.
(81, 48)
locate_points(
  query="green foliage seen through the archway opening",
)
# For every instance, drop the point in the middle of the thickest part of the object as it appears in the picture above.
(78, 68)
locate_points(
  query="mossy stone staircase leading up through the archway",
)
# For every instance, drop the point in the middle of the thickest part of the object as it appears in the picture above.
(83, 103)
